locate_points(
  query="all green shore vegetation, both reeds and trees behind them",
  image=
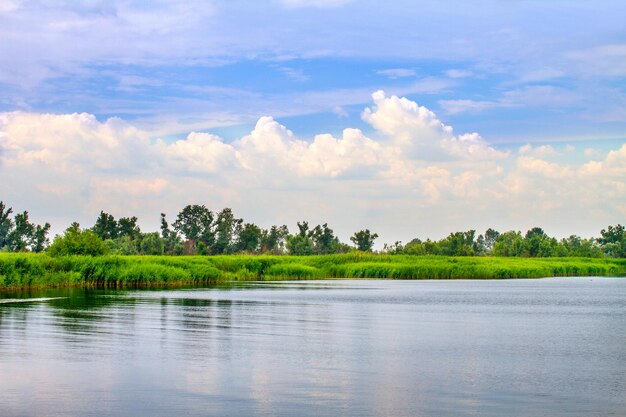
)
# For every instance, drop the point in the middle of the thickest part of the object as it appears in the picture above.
(219, 247)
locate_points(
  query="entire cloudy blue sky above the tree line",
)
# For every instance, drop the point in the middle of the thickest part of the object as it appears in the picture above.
(410, 118)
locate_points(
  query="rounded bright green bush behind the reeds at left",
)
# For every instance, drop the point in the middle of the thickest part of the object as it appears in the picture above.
(78, 242)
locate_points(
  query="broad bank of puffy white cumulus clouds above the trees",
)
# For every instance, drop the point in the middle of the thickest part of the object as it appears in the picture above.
(413, 176)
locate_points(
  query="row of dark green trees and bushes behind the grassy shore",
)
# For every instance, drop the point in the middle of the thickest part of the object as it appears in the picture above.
(200, 231)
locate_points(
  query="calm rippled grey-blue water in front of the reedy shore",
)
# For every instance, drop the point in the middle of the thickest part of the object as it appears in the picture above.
(551, 347)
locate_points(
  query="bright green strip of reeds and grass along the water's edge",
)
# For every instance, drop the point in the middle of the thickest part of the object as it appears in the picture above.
(27, 270)
